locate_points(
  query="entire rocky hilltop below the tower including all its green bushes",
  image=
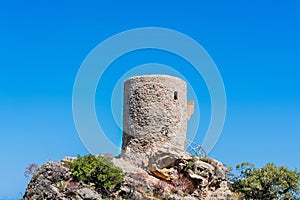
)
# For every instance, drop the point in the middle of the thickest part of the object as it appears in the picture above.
(189, 177)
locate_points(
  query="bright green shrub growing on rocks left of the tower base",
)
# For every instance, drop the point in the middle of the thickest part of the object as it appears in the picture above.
(98, 170)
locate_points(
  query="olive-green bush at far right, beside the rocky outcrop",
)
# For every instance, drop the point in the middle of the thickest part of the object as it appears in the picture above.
(266, 183)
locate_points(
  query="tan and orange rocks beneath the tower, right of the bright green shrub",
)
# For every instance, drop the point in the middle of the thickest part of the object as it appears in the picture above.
(176, 176)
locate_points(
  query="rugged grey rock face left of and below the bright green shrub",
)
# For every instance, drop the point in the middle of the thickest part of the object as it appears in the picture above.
(54, 181)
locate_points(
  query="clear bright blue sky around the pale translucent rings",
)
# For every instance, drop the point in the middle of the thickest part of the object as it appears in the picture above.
(255, 44)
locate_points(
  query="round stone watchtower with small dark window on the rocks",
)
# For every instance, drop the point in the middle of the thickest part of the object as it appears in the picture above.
(155, 115)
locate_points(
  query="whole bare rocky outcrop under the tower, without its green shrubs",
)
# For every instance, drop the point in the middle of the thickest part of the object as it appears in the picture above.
(169, 176)
